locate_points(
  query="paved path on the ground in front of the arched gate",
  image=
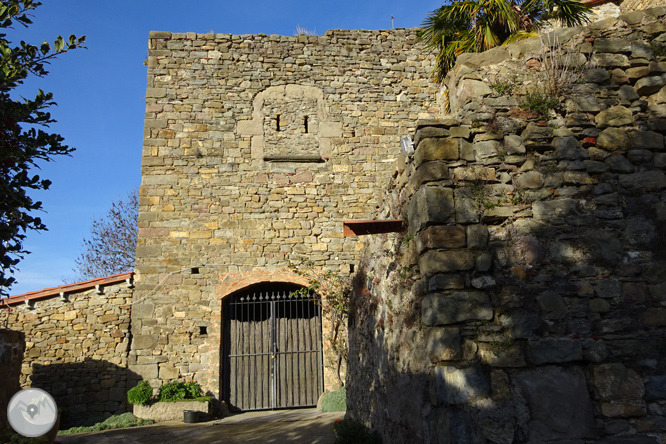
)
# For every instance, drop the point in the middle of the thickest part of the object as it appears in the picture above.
(307, 426)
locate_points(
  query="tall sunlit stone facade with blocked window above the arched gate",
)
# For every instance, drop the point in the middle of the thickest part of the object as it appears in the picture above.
(256, 148)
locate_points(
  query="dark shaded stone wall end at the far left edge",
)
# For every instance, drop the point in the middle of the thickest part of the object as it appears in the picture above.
(12, 346)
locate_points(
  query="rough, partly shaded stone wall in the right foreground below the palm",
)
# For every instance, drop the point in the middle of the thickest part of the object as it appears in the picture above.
(525, 302)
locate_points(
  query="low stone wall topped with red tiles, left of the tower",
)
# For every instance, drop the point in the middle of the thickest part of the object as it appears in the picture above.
(76, 348)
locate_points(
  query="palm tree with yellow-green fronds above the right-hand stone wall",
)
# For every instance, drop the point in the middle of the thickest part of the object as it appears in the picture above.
(478, 25)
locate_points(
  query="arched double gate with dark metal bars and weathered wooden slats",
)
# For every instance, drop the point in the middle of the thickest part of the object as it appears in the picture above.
(273, 349)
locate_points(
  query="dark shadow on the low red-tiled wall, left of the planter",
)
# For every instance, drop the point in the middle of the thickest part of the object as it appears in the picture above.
(87, 391)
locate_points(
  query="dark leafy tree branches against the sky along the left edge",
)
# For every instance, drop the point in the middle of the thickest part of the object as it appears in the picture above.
(22, 142)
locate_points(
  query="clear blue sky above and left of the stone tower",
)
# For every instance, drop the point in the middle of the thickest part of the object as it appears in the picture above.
(100, 93)
